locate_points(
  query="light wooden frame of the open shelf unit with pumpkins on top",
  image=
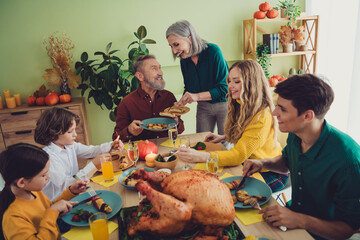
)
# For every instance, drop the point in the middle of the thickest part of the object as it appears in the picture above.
(308, 58)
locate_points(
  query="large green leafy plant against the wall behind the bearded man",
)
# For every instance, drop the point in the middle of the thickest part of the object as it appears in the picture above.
(109, 81)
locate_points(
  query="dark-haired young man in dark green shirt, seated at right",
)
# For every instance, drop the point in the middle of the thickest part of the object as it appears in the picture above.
(324, 163)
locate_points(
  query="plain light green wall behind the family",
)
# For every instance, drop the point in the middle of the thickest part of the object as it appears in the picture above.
(91, 24)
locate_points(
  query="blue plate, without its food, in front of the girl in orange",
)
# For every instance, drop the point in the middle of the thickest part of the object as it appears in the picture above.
(110, 198)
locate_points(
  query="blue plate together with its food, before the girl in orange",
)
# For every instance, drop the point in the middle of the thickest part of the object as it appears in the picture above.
(105, 201)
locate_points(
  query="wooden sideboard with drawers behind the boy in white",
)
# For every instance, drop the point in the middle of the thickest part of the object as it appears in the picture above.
(18, 124)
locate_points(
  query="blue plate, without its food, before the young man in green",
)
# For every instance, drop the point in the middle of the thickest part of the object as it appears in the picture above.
(253, 187)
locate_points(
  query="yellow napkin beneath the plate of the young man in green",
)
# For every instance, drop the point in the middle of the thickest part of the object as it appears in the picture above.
(248, 216)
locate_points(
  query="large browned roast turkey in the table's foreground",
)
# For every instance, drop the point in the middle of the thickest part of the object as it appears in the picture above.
(182, 201)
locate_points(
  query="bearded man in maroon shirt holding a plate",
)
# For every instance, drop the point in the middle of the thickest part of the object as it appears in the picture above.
(147, 101)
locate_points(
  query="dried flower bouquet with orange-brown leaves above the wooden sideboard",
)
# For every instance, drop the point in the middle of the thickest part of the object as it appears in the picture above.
(59, 50)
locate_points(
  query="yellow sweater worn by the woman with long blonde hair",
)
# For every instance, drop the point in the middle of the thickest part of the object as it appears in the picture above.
(257, 142)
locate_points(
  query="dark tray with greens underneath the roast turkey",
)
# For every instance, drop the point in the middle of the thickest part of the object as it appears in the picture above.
(127, 215)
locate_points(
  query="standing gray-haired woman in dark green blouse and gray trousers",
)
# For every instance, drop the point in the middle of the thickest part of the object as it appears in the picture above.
(204, 70)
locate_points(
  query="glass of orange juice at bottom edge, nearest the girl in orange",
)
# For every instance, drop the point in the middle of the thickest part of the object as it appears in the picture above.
(99, 226)
